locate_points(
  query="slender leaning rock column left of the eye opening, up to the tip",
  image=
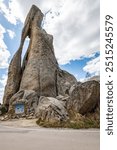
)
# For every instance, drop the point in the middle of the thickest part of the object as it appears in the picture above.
(15, 70)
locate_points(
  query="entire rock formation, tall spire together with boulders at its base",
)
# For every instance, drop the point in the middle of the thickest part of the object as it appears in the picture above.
(38, 83)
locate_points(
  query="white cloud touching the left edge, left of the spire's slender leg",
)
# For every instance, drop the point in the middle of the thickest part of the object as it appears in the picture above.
(4, 53)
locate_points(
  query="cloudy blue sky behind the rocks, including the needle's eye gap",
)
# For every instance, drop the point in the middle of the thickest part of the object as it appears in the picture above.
(74, 24)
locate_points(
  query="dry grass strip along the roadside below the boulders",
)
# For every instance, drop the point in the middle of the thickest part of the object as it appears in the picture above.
(76, 121)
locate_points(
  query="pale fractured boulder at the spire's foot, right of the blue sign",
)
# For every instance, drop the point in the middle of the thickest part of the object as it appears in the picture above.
(51, 110)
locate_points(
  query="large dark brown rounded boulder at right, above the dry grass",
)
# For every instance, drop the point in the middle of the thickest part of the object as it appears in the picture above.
(85, 96)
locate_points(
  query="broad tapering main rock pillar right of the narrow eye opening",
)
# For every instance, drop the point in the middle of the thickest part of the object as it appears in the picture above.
(39, 63)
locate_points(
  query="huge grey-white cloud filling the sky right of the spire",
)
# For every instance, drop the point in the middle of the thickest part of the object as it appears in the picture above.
(75, 30)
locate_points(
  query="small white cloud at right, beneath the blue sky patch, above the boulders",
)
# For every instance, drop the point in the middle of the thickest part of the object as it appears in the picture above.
(93, 66)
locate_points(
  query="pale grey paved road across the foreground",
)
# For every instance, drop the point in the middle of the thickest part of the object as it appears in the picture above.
(48, 139)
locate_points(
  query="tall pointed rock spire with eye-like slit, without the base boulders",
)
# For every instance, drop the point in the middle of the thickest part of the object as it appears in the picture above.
(40, 71)
